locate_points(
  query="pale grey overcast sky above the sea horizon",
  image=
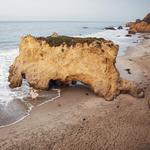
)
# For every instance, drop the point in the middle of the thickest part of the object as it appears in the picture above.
(72, 10)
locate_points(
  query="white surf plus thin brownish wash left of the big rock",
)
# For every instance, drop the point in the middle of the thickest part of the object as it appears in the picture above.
(9, 106)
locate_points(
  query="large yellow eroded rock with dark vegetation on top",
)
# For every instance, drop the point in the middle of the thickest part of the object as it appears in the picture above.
(66, 59)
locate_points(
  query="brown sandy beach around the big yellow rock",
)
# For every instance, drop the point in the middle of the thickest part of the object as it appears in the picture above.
(79, 120)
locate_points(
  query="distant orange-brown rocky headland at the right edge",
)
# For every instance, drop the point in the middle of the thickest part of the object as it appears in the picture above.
(141, 26)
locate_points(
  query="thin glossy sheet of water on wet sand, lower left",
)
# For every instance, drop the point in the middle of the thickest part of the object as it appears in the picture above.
(18, 109)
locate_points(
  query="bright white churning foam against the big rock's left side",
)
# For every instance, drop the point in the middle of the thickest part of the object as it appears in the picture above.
(7, 94)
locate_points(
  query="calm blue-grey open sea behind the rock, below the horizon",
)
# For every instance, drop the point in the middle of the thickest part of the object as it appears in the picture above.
(10, 32)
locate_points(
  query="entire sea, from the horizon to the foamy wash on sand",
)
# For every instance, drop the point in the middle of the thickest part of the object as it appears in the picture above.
(15, 103)
